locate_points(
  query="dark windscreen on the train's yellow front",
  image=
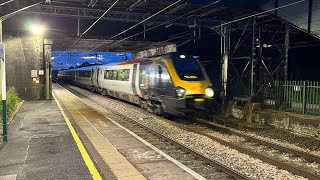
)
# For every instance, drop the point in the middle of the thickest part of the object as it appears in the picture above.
(188, 68)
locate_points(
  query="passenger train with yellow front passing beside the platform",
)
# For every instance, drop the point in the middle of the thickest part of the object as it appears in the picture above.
(171, 84)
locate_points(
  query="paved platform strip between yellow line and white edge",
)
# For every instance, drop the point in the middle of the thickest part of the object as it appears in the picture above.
(124, 154)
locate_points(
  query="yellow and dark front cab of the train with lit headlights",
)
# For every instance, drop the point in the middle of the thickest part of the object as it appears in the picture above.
(177, 81)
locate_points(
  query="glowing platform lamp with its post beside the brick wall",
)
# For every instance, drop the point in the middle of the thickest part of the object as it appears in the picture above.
(40, 30)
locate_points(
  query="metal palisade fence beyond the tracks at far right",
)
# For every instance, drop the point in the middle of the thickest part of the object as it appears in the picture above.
(296, 96)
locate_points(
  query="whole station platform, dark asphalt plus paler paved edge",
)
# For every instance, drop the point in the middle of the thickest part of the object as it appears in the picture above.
(41, 145)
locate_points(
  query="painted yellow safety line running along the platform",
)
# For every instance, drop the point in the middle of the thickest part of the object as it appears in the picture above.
(93, 170)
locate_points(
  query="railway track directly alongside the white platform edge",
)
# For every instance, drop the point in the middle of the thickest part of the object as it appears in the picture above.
(207, 168)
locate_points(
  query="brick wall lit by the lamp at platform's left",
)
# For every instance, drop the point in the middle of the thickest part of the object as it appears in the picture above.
(24, 54)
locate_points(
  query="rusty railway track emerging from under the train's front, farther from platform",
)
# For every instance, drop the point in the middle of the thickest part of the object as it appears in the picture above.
(270, 152)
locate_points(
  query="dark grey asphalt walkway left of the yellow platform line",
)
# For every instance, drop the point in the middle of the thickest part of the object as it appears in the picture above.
(40, 146)
